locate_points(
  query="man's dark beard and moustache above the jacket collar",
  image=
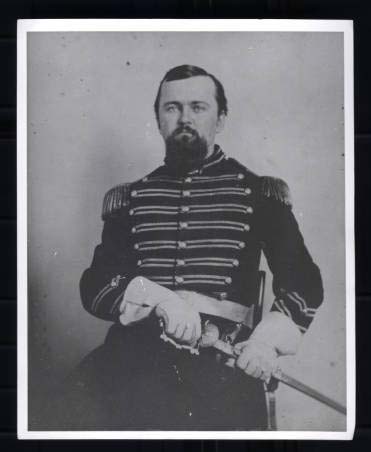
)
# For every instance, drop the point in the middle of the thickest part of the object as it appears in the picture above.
(185, 152)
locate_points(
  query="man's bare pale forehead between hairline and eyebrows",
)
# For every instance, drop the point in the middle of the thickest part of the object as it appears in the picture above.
(200, 88)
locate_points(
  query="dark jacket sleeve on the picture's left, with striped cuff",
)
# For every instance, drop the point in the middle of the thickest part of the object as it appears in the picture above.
(103, 284)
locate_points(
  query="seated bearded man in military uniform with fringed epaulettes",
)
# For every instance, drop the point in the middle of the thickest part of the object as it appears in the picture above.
(179, 257)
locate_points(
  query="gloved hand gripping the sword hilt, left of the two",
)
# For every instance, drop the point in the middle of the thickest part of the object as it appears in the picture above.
(181, 321)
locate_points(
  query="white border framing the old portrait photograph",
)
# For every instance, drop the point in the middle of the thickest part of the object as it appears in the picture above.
(180, 25)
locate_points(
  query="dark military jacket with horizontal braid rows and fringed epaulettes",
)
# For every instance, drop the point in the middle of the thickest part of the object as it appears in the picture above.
(203, 231)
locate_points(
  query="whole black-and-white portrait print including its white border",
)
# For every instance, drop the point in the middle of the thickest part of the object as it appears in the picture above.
(185, 241)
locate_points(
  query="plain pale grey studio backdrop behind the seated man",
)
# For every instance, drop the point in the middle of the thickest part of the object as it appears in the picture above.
(91, 126)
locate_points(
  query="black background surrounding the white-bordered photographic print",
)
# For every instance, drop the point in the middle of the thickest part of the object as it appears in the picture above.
(10, 11)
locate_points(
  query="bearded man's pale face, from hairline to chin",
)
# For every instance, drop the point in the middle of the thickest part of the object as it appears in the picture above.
(188, 113)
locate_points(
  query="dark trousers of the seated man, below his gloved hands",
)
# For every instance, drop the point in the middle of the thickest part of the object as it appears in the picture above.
(135, 381)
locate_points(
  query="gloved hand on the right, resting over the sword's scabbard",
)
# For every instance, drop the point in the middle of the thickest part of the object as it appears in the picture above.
(256, 359)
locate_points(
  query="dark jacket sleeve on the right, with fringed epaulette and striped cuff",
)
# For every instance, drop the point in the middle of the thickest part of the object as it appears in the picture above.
(297, 282)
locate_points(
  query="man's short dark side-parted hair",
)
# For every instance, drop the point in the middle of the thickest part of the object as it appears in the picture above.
(188, 71)
